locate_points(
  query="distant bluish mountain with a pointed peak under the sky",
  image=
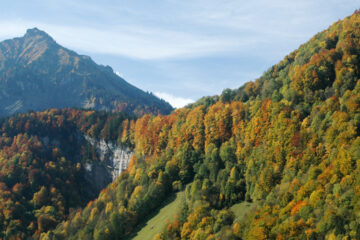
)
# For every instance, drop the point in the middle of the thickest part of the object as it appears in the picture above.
(36, 73)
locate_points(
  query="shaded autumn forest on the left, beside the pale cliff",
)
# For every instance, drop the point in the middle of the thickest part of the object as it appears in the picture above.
(41, 167)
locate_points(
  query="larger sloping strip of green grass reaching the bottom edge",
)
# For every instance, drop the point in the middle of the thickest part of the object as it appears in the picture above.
(158, 221)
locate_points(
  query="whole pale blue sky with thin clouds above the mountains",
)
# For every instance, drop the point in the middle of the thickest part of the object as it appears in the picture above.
(180, 50)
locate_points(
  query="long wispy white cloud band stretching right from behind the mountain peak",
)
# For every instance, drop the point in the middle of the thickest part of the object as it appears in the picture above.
(132, 41)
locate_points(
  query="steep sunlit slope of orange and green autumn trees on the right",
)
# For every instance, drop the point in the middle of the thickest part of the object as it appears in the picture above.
(288, 142)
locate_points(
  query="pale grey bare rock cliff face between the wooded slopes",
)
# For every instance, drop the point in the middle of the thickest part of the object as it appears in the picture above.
(113, 160)
